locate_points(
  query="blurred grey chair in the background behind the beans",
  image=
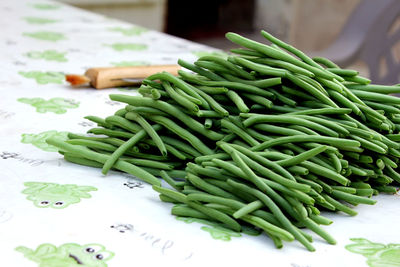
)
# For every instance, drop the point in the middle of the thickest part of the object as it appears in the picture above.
(371, 35)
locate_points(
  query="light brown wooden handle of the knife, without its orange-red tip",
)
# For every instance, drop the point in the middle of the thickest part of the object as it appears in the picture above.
(101, 78)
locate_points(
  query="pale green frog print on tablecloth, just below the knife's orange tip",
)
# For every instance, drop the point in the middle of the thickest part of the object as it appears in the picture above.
(56, 105)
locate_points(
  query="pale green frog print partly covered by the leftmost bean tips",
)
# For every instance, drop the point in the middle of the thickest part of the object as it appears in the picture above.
(39, 140)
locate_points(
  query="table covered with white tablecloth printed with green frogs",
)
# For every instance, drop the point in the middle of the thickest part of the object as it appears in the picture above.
(51, 209)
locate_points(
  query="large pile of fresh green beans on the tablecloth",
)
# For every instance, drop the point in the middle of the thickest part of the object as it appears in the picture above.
(267, 138)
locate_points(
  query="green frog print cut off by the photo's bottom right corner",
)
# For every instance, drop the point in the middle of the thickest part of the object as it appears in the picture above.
(378, 255)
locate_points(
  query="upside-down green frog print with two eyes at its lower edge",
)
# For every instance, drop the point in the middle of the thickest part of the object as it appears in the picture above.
(56, 196)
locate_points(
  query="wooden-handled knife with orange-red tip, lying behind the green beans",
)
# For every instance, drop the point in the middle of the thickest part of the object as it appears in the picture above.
(108, 77)
